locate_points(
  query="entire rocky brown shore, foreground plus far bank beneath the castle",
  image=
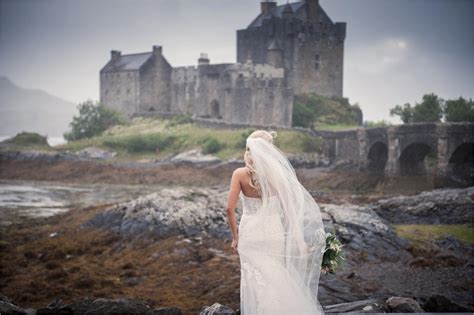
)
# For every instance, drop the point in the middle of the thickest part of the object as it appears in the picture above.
(117, 254)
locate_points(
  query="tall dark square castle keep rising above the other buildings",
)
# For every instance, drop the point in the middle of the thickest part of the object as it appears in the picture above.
(311, 45)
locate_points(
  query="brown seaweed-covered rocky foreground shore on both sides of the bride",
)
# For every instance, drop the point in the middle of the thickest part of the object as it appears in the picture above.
(186, 235)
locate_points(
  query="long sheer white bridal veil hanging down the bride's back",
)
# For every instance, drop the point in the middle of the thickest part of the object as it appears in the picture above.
(301, 235)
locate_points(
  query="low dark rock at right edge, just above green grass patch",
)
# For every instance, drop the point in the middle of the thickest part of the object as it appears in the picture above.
(440, 206)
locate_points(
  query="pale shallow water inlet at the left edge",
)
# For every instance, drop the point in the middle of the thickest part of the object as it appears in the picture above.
(37, 199)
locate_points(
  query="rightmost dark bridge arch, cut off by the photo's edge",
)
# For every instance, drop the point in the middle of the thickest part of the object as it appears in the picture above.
(461, 164)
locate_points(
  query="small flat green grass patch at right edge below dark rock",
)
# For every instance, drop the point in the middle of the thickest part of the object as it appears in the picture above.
(426, 232)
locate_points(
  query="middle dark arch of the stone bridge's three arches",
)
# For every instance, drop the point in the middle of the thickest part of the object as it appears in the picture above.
(412, 160)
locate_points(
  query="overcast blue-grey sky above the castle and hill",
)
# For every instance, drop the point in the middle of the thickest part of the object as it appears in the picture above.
(395, 50)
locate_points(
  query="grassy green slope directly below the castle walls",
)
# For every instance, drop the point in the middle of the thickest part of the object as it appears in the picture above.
(156, 137)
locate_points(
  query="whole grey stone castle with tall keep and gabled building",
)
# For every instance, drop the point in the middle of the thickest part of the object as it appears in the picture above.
(287, 50)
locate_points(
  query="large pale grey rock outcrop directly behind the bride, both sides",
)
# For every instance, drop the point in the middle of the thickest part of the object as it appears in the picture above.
(192, 211)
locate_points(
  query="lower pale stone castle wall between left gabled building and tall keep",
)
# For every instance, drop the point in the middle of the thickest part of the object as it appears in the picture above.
(233, 93)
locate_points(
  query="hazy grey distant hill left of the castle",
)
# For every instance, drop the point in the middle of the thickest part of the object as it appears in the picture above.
(32, 110)
